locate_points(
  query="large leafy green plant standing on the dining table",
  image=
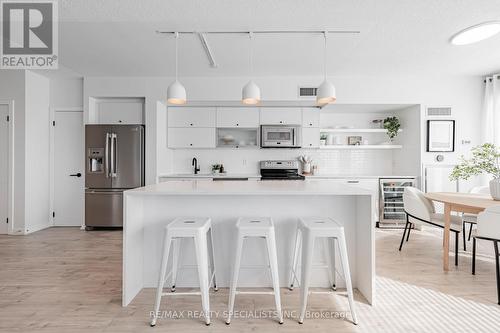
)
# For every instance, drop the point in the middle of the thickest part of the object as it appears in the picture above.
(485, 160)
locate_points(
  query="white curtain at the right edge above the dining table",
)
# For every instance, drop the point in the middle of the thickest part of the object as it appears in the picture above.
(491, 111)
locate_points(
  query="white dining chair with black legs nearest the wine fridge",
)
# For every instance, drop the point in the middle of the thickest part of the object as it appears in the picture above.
(420, 210)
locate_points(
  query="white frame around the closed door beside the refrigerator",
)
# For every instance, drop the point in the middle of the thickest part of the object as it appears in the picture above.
(52, 157)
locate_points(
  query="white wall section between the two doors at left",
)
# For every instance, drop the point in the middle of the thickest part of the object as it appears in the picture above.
(30, 92)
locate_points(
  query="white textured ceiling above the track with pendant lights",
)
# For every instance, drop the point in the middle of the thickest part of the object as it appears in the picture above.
(117, 37)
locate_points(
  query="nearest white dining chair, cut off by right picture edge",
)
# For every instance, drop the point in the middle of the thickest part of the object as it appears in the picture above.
(488, 228)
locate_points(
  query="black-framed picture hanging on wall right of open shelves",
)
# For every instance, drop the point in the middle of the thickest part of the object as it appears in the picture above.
(440, 135)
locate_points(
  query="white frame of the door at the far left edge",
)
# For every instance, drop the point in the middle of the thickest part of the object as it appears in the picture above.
(10, 168)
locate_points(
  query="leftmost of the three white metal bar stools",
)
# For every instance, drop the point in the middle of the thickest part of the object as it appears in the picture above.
(197, 229)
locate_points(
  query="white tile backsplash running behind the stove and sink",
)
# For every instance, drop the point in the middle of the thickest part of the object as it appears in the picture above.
(340, 162)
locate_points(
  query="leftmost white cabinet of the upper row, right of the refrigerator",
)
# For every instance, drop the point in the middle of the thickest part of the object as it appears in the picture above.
(191, 117)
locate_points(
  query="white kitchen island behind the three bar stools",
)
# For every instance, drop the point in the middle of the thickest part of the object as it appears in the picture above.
(149, 209)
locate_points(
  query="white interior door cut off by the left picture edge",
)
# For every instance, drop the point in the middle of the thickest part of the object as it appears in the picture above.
(4, 167)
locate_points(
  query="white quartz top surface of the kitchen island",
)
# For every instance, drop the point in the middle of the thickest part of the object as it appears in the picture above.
(268, 187)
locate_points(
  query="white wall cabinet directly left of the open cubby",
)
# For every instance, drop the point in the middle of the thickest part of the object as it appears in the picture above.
(191, 138)
